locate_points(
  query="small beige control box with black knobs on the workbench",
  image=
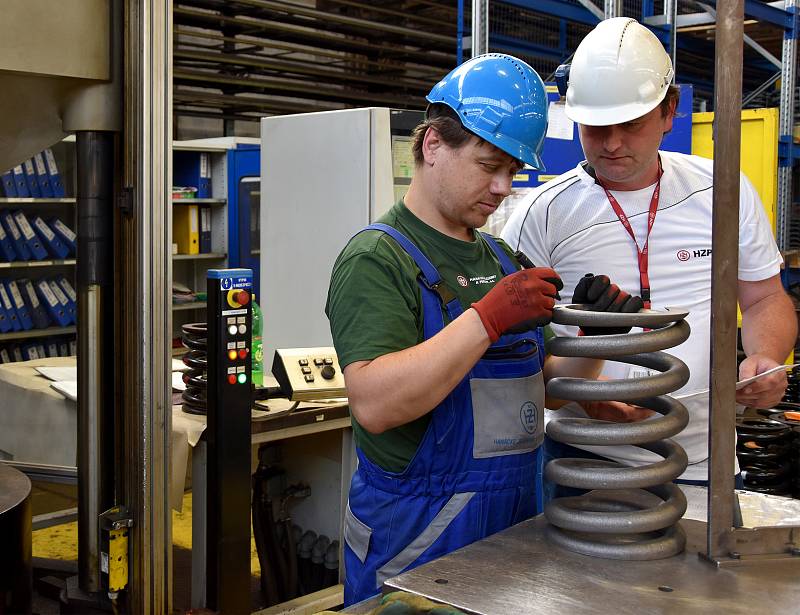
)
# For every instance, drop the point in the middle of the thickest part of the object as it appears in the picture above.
(308, 373)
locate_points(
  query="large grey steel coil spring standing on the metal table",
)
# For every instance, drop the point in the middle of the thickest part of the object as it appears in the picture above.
(629, 512)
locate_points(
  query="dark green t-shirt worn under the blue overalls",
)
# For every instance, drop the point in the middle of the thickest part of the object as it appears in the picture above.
(375, 307)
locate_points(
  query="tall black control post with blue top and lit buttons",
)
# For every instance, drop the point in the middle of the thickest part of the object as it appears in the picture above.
(228, 440)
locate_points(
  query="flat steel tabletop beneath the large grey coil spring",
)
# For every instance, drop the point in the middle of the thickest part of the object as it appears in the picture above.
(518, 571)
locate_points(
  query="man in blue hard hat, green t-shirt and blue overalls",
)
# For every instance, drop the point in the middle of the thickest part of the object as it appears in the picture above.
(439, 335)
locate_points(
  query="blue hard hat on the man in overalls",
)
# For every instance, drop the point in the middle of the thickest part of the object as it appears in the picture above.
(501, 99)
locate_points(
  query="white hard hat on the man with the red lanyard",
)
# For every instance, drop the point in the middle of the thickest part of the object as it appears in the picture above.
(620, 71)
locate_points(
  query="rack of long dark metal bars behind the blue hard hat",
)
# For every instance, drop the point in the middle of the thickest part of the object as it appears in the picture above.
(416, 48)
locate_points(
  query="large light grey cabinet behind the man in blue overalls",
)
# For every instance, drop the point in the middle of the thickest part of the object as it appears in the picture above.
(324, 177)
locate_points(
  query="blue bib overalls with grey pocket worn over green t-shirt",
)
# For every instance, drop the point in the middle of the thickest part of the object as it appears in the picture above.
(476, 471)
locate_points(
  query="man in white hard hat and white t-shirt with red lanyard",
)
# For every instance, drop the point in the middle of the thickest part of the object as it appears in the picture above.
(643, 216)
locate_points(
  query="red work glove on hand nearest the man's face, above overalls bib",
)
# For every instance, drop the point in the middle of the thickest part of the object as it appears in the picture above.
(525, 296)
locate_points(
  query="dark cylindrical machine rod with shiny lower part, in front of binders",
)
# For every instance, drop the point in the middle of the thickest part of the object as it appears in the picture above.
(95, 281)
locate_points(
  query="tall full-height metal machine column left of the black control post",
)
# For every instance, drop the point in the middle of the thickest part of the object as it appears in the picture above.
(145, 315)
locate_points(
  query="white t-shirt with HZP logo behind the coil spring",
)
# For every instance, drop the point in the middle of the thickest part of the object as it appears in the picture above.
(569, 225)
